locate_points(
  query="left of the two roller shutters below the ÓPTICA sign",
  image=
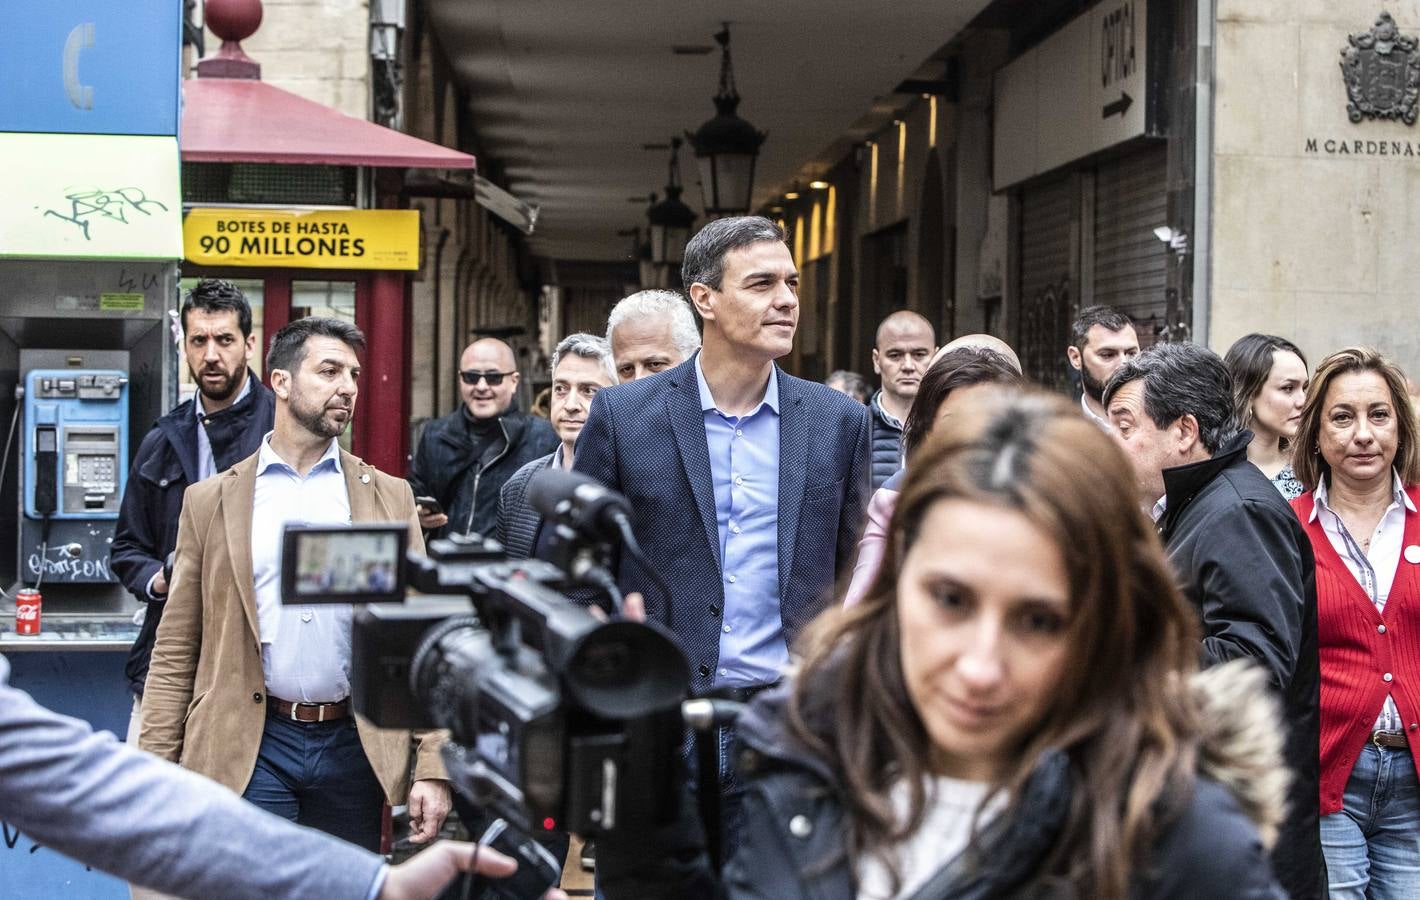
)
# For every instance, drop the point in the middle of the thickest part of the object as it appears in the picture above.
(1047, 269)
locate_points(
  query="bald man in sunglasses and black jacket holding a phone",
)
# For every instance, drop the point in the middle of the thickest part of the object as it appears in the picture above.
(468, 456)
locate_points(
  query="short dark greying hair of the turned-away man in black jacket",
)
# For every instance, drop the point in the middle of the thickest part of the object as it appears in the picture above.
(1184, 380)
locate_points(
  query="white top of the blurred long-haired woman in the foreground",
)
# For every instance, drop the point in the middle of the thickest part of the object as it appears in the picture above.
(945, 833)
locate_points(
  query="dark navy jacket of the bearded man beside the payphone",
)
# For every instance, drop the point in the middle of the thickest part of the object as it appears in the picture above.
(165, 465)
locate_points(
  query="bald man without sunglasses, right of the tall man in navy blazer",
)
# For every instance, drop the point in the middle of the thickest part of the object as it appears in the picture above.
(902, 353)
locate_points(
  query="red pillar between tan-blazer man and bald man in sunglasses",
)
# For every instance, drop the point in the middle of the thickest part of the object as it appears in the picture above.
(383, 414)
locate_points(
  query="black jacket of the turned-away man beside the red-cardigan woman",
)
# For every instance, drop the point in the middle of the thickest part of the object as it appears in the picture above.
(1247, 566)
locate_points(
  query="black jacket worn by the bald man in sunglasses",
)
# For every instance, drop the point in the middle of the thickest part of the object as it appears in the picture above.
(468, 486)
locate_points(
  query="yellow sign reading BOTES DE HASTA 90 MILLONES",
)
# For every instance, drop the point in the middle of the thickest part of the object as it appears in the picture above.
(296, 239)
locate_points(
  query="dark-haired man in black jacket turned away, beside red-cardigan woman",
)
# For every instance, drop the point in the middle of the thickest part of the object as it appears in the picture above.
(1240, 551)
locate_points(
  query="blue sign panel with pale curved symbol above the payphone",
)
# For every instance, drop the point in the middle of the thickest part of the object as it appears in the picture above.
(90, 67)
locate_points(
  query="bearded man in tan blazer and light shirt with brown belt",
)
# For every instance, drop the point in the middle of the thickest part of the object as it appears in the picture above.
(255, 695)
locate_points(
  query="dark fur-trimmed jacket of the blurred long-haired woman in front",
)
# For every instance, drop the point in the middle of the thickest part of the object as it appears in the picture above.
(793, 841)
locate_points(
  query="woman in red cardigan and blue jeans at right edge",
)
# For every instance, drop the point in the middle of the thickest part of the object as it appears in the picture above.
(1358, 454)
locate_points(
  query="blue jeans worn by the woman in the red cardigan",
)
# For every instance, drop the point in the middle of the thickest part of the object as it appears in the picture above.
(1372, 845)
